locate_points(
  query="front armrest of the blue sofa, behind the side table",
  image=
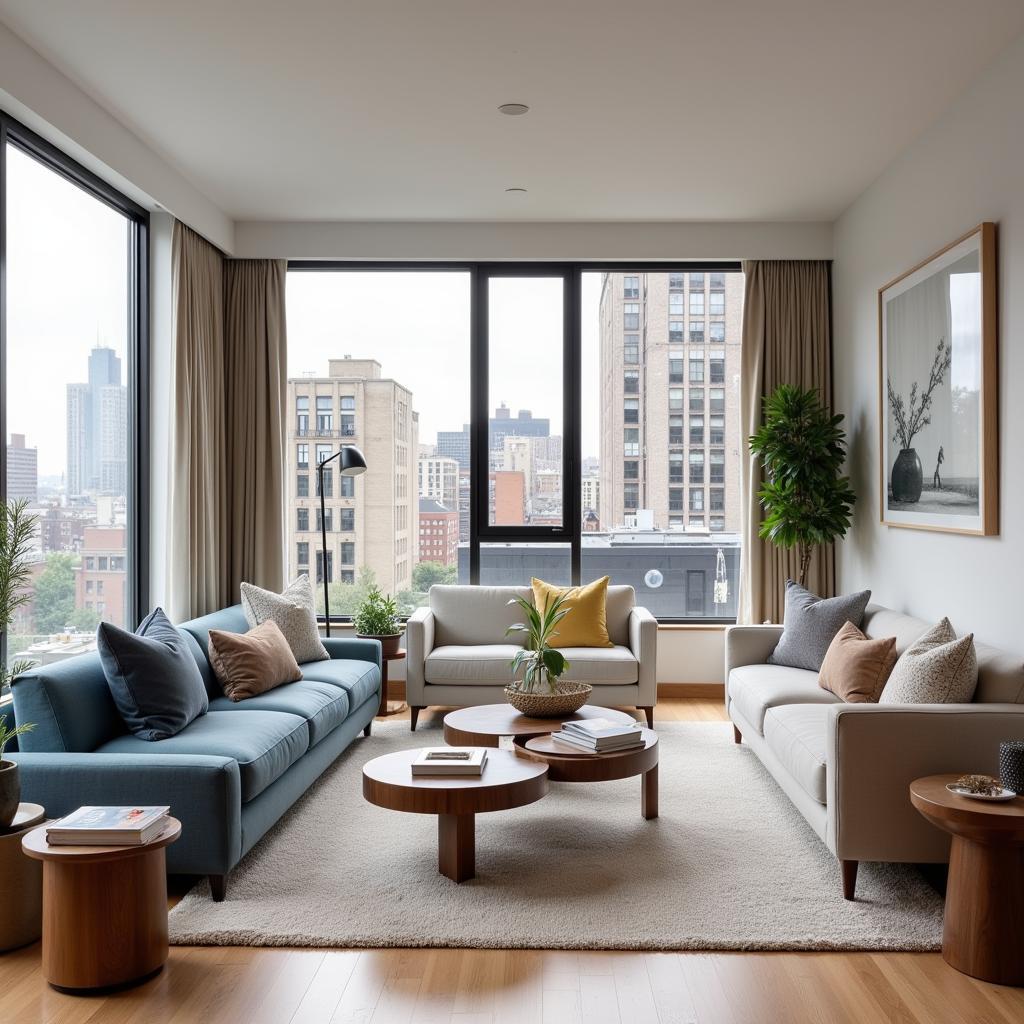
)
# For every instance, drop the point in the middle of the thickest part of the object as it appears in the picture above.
(204, 793)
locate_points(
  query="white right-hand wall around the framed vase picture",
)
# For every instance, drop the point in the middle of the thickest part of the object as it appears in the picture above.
(969, 167)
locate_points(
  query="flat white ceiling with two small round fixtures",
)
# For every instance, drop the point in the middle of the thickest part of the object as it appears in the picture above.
(378, 110)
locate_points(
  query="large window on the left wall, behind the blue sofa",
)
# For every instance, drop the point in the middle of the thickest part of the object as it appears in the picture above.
(72, 339)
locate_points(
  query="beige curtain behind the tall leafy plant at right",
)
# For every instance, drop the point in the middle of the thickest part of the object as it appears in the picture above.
(787, 340)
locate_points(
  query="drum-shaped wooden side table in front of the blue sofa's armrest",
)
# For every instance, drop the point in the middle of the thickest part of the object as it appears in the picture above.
(105, 911)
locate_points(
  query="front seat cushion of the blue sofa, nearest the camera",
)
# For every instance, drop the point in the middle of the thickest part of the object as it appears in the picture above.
(266, 744)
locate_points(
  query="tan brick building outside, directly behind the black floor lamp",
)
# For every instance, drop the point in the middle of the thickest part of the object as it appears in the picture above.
(372, 521)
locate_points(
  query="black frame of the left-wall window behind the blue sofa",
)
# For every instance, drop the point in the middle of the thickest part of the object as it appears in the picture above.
(138, 594)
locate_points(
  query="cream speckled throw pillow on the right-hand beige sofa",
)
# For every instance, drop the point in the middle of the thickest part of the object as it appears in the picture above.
(936, 669)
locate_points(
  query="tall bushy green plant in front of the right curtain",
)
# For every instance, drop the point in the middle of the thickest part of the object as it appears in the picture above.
(806, 499)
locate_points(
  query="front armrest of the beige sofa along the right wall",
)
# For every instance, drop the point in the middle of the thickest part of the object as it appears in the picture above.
(875, 752)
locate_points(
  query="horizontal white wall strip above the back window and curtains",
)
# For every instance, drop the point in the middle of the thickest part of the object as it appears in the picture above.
(524, 241)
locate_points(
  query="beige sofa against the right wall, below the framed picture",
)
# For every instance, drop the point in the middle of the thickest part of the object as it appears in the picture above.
(847, 766)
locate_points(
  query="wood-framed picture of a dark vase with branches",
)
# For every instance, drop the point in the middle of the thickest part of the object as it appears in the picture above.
(938, 392)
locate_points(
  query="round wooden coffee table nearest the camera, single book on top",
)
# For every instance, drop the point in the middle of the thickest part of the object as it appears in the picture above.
(507, 782)
